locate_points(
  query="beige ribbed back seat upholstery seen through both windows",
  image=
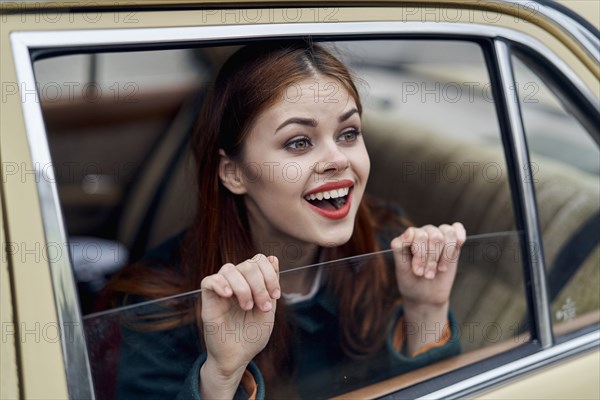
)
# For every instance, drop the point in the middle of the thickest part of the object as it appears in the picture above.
(418, 169)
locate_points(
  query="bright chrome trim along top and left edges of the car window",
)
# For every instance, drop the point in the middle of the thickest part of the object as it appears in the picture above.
(76, 360)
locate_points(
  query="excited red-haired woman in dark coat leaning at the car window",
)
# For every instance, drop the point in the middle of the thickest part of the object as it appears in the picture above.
(282, 164)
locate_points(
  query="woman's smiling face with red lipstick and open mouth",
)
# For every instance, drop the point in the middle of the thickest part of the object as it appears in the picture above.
(304, 166)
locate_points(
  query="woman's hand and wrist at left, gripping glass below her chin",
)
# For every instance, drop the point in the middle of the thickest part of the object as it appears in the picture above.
(238, 313)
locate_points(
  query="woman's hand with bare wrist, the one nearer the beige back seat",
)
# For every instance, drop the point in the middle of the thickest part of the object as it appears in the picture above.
(426, 260)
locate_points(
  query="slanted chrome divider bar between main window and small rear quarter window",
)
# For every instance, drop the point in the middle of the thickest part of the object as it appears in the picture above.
(533, 239)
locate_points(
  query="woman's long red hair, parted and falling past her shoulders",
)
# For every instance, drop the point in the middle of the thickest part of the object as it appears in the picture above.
(250, 81)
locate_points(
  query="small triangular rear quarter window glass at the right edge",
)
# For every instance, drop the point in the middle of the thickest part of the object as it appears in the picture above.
(566, 174)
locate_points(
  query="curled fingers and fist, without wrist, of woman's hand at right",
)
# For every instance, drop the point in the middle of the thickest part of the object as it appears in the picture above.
(426, 260)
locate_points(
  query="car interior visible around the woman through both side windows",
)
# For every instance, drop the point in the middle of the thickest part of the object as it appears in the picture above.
(125, 177)
